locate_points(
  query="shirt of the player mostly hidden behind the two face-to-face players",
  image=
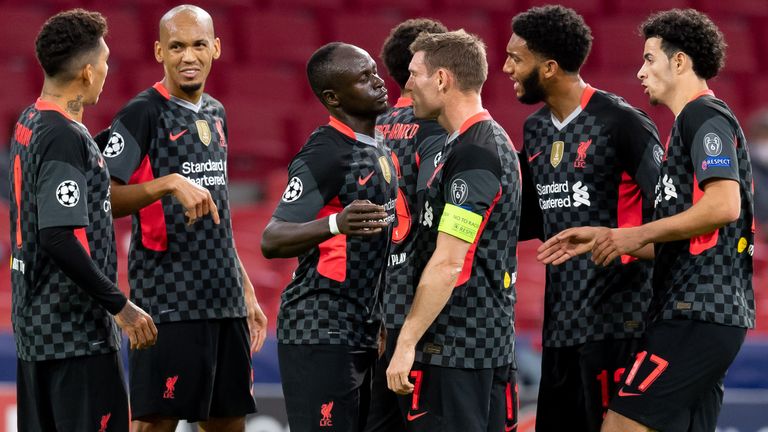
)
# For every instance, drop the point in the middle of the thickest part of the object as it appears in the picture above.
(416, 146)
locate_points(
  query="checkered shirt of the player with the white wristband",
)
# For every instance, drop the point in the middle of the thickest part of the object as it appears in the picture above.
(336, 293)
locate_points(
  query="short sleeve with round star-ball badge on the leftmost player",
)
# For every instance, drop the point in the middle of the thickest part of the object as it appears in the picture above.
(61, 192)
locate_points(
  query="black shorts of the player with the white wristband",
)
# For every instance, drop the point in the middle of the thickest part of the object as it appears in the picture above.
(326, 387)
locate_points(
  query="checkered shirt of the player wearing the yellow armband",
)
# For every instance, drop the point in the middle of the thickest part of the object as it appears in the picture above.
(475, 329)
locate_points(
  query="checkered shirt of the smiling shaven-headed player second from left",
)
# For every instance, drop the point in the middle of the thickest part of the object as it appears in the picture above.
(178, 272)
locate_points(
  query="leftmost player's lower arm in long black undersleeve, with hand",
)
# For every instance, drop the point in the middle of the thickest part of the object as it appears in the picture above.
(69, 255)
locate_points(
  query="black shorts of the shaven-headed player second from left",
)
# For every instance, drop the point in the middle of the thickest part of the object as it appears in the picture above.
(197, 370)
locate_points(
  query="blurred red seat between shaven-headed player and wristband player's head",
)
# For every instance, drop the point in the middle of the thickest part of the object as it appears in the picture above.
(280, 37)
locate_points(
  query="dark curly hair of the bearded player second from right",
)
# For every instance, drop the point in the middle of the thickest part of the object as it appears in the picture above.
(555, 32)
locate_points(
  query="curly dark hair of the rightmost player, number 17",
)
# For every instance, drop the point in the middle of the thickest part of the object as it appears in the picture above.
(691, 32)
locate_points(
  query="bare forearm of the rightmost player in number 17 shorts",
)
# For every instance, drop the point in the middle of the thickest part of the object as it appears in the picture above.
(719, 206)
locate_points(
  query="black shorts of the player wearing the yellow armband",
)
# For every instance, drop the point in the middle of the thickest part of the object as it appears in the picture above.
(460, 400)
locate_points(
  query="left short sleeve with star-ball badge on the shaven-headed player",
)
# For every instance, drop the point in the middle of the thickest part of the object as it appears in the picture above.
(130, 136)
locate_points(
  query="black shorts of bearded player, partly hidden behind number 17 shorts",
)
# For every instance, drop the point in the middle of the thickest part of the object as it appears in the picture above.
(577, 381)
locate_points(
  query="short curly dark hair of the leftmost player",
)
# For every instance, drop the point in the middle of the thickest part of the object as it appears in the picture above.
(66, 41)
